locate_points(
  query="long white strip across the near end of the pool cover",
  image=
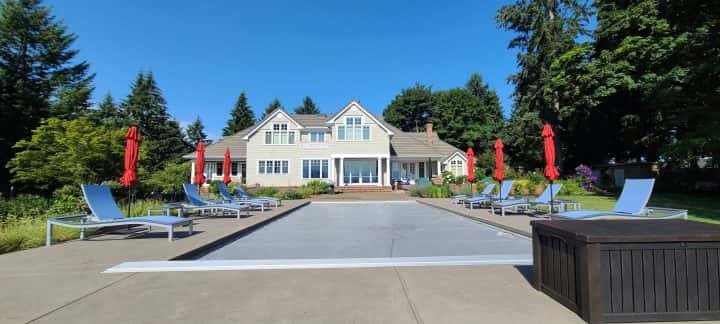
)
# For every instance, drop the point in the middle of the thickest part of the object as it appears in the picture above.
(229, 265)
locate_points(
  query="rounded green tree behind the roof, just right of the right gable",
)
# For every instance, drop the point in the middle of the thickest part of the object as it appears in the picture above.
(410, 109)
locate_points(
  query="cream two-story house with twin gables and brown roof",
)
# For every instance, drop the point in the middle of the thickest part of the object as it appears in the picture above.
(350, 148)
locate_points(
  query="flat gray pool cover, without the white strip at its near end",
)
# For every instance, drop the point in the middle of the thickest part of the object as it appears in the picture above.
(371, 230)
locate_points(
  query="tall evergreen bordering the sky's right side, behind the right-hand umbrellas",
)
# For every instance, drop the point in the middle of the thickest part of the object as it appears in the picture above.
(545, 30)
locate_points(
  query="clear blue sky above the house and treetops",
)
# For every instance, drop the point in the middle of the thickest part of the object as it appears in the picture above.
(203, 53)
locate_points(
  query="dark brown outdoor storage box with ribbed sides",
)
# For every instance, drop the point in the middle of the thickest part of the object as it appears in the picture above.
(630, 270)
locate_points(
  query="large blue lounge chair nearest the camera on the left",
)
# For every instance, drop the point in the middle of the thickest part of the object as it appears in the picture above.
(105, 212)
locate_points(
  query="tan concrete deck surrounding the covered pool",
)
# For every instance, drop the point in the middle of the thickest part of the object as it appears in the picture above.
(65, 283)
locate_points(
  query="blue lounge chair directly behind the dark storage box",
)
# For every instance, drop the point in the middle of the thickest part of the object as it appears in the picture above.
(631, 205)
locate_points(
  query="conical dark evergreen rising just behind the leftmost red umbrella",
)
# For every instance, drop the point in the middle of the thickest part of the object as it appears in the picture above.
(162, 137)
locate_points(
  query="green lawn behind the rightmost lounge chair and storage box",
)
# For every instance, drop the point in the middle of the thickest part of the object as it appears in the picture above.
(704, 208)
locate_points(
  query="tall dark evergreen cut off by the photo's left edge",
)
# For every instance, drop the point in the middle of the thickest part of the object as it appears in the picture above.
(36, 62)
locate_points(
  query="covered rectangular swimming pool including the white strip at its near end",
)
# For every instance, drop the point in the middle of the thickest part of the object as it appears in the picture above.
(358, 234)
